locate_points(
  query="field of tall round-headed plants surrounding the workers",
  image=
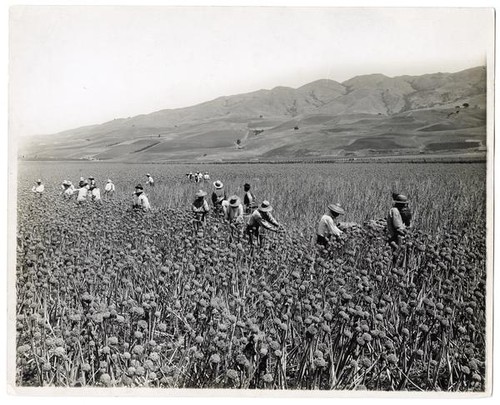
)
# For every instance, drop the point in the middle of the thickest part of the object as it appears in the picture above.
(107, 296)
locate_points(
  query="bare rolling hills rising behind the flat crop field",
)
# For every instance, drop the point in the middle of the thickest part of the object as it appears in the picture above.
(370, 115)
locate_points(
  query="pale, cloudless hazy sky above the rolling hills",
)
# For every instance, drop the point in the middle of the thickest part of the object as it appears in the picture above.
(74, 66)
